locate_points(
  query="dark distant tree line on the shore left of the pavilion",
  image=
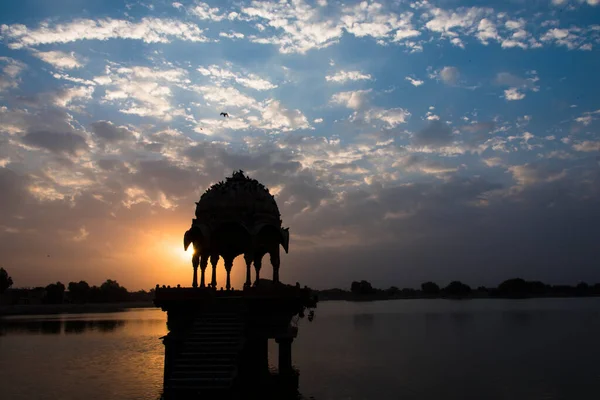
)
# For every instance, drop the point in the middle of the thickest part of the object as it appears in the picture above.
(75, 292)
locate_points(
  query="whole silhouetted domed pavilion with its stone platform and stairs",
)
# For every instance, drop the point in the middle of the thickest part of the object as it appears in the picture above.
(217, 340)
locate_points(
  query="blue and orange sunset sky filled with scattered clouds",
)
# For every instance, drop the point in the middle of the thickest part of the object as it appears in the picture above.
(404, 141)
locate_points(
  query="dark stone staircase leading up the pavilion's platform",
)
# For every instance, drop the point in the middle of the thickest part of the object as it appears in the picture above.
(207, 363)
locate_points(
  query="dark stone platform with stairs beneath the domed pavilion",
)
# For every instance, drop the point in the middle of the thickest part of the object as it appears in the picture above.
(217, 345)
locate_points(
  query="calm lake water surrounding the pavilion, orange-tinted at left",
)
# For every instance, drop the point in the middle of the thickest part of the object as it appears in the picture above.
(409, 349)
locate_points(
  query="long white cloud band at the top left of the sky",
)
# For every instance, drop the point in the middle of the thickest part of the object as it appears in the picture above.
(148, 30)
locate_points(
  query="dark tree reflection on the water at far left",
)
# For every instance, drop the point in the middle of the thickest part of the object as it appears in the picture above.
(57, 327)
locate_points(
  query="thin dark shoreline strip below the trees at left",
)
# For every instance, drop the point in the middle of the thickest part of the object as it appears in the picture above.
(55, 309)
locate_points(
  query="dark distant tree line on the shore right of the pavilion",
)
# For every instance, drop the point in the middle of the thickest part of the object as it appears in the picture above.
(511, 288)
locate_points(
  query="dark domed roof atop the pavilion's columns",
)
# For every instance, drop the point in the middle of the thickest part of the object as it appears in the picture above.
(239, 198)
